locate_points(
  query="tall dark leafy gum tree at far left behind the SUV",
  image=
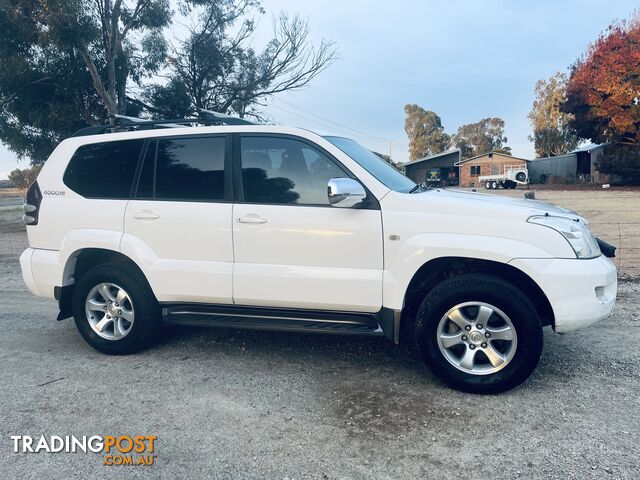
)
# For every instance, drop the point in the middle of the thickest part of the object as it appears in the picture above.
(65, 64)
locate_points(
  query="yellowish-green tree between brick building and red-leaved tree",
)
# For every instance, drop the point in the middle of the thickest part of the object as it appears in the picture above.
(552, 134)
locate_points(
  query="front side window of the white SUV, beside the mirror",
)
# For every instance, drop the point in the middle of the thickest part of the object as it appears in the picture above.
(282, 170)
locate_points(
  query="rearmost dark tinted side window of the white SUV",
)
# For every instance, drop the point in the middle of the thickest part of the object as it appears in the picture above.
(104, 170)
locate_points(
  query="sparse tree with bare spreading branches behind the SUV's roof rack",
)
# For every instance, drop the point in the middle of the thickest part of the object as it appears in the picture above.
(216, 67)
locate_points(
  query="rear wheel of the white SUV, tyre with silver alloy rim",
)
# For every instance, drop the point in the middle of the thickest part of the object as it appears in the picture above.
(115, 310)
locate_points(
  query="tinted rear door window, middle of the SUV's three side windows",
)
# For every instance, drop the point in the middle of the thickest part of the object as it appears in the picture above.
(184, 169)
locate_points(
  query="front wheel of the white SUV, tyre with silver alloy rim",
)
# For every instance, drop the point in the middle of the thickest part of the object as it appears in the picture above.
(479, 333)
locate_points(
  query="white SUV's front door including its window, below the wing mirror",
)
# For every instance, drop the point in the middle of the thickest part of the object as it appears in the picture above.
(292, 248)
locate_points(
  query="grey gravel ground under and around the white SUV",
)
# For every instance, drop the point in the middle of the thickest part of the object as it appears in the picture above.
(227, 404)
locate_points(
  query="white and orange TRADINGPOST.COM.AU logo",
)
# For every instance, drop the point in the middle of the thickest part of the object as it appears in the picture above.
(117, 450)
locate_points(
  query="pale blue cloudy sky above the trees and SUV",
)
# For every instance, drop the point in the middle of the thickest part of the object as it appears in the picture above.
(465, 60)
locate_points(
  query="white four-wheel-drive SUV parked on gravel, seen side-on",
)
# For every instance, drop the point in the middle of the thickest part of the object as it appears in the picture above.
(268, 227)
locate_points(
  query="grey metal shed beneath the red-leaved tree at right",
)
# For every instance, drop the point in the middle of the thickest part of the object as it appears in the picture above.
(581, 165)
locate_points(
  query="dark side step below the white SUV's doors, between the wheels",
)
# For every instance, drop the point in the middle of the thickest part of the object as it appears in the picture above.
(265, 318)
